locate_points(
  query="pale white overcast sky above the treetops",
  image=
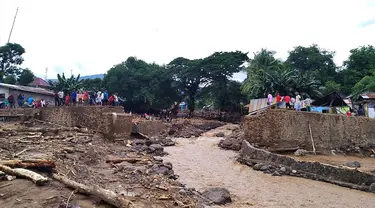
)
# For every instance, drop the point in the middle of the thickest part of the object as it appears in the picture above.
(89, 37)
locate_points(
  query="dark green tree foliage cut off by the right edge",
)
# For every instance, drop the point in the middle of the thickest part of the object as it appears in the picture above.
(359, 64)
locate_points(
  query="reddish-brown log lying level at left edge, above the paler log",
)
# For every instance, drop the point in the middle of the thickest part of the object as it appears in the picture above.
(34, 163)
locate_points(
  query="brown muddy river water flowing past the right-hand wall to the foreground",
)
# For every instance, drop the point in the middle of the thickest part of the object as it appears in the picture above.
(202, 164)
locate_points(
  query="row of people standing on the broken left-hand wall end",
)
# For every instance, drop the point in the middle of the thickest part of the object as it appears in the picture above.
(86, 98)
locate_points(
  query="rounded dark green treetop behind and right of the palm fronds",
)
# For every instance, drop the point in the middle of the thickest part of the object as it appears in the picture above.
(315, 60)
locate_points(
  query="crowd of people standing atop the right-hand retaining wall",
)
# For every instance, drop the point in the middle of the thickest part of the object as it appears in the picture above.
(291, 102)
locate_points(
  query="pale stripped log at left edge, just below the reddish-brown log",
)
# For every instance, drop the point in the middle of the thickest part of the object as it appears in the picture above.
(23, 173)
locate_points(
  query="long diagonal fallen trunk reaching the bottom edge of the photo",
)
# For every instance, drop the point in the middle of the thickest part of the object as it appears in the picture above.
(104, 194)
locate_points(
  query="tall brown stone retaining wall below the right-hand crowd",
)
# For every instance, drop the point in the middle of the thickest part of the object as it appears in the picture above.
(285, 129)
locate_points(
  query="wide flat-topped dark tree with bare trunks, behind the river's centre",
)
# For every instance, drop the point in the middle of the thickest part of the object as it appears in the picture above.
(213, 71)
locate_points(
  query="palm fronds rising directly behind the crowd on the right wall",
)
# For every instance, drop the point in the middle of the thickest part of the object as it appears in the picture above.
(265, 74)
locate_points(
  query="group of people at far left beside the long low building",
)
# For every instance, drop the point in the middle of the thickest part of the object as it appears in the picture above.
(22, 102)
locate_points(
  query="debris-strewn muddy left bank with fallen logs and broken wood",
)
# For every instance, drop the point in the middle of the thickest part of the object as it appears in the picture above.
(122, 172)
